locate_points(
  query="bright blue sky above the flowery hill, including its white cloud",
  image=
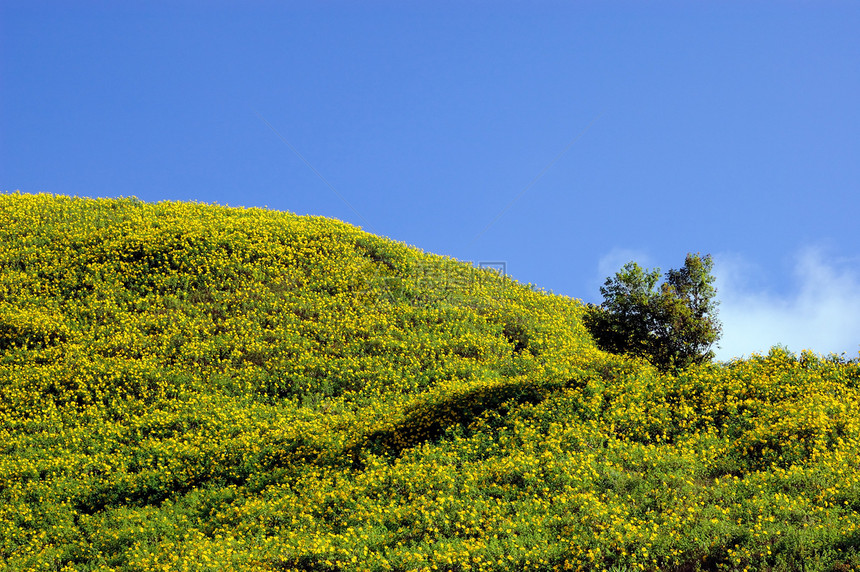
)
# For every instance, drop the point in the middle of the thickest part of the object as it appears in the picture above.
(585, 134)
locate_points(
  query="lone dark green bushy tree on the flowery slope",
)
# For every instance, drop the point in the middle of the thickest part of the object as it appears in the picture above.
(673, 326)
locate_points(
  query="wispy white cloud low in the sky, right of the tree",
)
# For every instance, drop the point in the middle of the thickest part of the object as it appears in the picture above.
(821, 312)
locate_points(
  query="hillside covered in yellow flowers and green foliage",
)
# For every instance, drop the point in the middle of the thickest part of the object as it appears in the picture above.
(193, 387)
